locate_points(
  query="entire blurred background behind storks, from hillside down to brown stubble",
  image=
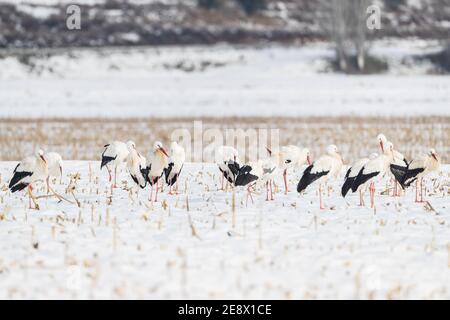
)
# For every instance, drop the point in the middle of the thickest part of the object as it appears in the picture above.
(139, 69)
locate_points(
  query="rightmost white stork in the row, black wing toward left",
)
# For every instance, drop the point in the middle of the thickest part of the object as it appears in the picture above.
(416, 170)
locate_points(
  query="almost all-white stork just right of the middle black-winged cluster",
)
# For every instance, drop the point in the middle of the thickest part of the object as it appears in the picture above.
(290, 157)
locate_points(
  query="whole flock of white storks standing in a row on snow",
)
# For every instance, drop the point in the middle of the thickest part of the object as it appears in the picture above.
(361, 176)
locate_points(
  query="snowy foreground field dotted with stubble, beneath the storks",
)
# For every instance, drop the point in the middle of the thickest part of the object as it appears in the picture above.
(119, 247)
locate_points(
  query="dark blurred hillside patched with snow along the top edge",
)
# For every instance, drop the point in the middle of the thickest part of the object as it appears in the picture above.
(42, 23)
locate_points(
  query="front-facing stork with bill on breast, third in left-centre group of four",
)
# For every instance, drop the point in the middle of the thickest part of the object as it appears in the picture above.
(158, 160)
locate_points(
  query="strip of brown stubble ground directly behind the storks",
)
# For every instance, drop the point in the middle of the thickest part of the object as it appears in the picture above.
(83, 139)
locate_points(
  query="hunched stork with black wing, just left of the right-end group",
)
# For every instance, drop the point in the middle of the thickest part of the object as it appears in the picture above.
(326, 167)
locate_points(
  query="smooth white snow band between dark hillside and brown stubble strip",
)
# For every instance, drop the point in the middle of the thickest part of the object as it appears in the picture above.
(218, 81)
